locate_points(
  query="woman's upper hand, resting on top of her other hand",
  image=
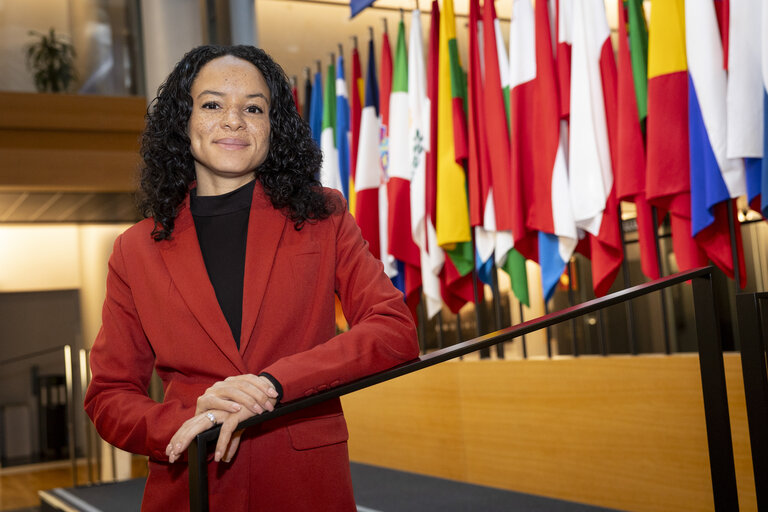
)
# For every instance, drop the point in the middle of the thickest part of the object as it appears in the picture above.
(255, 393)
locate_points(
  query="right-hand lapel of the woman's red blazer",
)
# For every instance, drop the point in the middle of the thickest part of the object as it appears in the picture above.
(265, 229)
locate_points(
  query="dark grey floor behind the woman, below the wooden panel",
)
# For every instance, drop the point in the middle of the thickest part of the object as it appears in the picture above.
(376, 490)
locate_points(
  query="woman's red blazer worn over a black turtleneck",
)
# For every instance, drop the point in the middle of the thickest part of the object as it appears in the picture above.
(161, 312)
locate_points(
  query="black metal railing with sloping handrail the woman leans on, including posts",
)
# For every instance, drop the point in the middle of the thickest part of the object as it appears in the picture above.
(722, 468)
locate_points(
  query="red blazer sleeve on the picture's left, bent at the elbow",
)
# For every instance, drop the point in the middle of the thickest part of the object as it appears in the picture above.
(122, 360)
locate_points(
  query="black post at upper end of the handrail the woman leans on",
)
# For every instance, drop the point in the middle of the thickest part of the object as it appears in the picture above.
(721, 463)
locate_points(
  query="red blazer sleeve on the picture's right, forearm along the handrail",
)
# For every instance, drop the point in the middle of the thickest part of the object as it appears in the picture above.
(381, 335)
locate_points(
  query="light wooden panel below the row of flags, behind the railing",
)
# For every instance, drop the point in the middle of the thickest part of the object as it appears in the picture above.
(621, 432)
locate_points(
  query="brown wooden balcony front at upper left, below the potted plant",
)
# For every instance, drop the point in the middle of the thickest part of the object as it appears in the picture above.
(68, 142)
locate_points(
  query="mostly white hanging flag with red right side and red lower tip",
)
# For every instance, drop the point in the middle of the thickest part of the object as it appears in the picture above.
(592, 147)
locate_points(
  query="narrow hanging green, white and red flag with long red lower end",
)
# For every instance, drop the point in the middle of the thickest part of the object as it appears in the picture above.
(401, 244)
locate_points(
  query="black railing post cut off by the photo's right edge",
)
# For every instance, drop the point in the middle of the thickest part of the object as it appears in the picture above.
(755, 389)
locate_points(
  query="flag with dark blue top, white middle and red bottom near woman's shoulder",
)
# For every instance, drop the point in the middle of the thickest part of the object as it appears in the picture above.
(368, 174)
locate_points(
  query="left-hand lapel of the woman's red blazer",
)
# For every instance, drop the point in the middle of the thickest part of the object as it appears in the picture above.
(185, 264)
